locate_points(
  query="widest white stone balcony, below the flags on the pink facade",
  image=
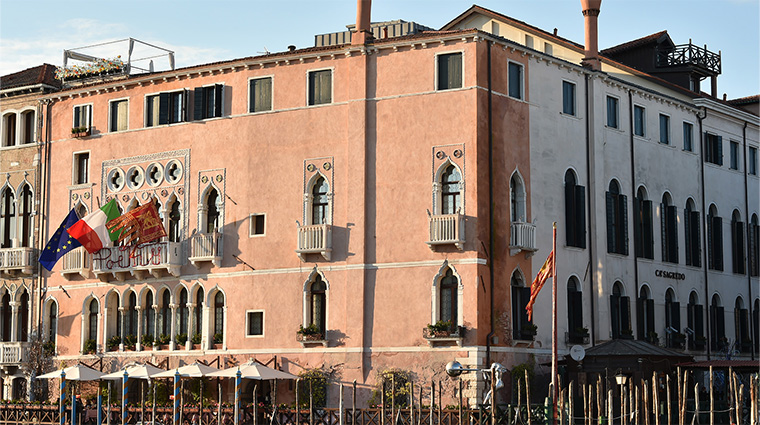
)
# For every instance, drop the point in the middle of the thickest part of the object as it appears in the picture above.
(153, 258)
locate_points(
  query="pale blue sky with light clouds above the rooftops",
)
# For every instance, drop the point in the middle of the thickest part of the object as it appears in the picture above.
(33, 32)
